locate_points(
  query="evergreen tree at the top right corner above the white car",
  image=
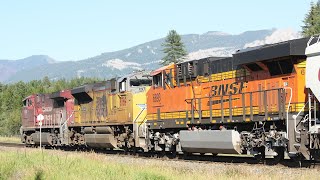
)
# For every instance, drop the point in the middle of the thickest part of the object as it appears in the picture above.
(312, 21)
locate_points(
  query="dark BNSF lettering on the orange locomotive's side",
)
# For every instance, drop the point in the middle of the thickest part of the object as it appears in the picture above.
(228, 89)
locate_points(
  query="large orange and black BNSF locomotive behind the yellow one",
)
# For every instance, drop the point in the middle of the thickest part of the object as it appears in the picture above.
(255, 102)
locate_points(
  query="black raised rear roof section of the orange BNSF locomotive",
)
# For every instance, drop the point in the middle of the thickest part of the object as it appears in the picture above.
(294, 47)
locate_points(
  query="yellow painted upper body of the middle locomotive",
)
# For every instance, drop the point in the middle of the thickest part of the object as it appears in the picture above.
(107, 107)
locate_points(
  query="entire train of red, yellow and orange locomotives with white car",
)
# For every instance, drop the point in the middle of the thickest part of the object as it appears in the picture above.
(261, 101)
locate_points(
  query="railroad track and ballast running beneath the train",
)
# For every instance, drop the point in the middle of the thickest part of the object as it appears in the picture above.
(229, 159)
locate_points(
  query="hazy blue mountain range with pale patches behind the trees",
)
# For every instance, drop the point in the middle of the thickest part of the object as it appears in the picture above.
(143, 56)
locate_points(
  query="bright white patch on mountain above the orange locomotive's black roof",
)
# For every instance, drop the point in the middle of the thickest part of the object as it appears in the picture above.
(278, 35)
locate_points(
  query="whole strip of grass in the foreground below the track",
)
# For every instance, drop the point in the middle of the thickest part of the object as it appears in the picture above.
(36, 164)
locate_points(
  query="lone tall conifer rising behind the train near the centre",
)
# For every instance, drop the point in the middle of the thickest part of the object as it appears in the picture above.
(173, 48)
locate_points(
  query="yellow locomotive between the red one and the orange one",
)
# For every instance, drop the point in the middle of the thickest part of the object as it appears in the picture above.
(108, 113)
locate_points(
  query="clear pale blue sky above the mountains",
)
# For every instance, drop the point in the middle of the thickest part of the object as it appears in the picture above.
(79, 29)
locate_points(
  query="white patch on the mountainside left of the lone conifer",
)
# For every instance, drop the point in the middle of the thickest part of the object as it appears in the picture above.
(120, 64)
